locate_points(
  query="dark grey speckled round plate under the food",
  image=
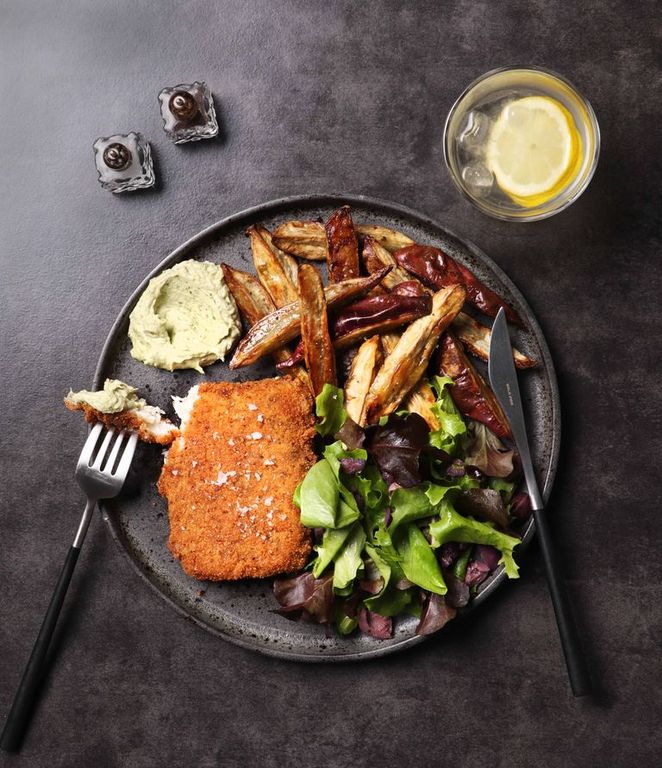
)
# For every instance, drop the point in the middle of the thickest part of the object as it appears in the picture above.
(243, 612)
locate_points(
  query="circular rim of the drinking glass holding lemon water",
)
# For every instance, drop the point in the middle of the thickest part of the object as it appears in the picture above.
(545, 213)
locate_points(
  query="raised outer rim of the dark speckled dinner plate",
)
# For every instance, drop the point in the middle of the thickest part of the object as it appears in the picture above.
(283, 206)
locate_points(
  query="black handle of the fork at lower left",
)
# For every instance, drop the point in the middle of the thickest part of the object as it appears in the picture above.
(19, 715)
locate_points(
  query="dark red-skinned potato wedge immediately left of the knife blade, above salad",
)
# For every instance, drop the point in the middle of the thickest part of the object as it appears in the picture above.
(470, 393)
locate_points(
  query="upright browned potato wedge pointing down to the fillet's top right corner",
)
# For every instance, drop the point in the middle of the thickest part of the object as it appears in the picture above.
(317, 347)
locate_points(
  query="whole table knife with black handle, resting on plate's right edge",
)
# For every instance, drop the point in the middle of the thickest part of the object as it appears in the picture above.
(503, 380)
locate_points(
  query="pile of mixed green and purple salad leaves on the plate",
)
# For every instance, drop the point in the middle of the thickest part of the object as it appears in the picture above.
(405, 519)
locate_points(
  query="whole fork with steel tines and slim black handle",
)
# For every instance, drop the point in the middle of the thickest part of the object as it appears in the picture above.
(101, 471)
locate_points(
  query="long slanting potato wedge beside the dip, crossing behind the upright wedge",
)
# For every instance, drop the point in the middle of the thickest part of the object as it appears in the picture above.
(284, 324)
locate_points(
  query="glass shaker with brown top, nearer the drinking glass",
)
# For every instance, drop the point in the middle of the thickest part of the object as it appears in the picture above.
(188, 112)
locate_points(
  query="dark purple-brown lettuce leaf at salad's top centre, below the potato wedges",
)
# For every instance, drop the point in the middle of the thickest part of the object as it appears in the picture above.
(396, 448)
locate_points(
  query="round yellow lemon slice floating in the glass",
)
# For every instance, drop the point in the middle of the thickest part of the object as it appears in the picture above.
(533, 149)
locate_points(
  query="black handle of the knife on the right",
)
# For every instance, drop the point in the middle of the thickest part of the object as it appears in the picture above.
(580, 680)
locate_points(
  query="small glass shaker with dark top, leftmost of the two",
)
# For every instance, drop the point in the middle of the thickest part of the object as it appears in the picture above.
(124, 162)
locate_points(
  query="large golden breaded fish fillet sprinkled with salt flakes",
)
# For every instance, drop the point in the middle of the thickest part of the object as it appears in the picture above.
(230, 477)
